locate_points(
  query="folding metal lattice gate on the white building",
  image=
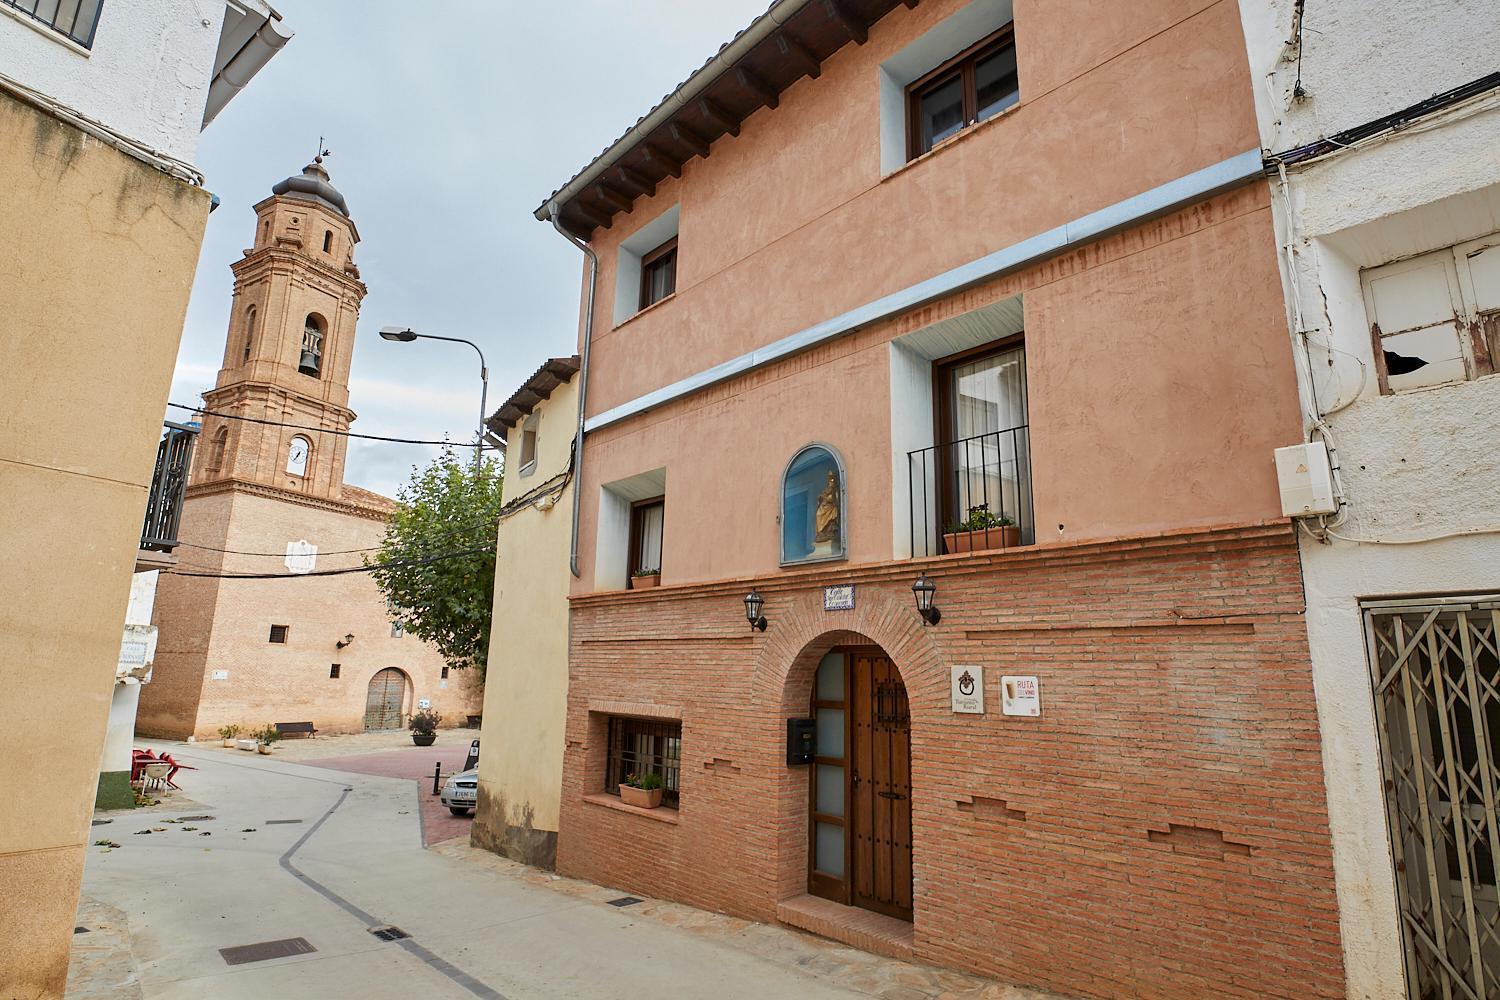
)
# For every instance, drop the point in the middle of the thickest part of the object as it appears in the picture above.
(1438, 707)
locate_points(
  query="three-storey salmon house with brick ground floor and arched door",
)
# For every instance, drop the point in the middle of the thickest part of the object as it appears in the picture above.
(929, 548)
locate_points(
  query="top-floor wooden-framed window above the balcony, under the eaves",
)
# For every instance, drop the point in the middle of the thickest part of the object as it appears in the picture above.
(968, 89)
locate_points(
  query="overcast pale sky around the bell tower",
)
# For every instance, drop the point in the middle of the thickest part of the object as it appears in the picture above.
(449, 122)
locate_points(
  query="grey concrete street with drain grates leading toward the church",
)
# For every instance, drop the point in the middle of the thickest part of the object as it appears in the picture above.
(308, 852)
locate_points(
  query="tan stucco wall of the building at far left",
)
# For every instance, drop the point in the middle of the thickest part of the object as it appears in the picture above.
(97, 262)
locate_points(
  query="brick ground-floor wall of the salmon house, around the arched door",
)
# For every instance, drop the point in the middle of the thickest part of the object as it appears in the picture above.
(1160, 831)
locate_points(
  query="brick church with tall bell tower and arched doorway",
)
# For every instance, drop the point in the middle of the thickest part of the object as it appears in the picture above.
(268, 497)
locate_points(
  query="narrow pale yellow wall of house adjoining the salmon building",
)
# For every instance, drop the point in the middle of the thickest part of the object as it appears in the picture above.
(526, 690)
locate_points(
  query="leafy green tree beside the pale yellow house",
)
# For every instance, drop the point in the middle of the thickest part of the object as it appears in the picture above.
(437, 564)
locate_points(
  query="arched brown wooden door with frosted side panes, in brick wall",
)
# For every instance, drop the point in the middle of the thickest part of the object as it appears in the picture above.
(860, 851)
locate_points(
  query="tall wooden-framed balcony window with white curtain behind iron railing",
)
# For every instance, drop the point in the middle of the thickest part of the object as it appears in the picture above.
(985, 440)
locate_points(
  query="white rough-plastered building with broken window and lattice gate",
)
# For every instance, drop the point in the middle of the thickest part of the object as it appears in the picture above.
(1382, 130)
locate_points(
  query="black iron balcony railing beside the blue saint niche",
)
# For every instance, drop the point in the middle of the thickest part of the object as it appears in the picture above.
(971, 494)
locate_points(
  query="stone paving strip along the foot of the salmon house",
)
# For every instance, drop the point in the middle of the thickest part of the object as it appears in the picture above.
(848, 968)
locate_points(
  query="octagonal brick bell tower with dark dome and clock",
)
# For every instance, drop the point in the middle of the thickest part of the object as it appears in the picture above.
(292, 340)
